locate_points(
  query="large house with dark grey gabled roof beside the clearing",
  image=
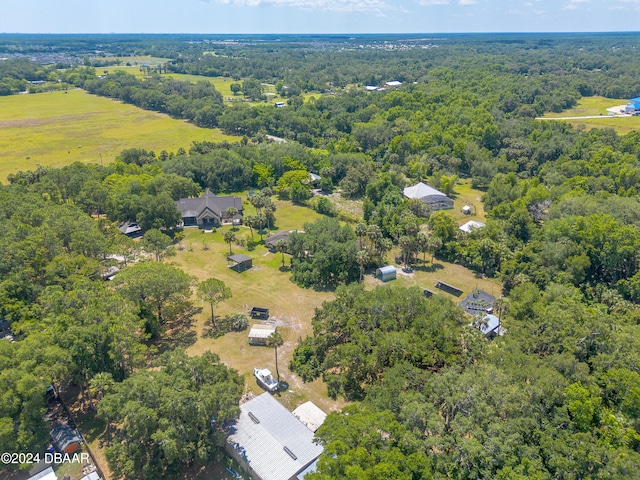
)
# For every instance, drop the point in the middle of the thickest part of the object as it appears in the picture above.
(209, 210)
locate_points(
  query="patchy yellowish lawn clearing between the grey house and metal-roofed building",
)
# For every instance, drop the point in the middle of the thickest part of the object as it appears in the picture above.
(204, 255)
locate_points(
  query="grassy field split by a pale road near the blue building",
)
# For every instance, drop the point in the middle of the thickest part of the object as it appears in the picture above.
(598, 106)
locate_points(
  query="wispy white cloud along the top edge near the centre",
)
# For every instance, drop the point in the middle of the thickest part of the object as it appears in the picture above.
(362, 6)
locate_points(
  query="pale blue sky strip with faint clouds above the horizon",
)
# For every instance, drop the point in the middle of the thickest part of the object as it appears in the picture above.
(317, 16)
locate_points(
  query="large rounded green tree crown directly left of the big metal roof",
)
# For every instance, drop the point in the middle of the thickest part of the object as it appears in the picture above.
(171, 418)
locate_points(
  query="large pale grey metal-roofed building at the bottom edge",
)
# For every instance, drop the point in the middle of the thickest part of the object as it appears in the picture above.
(270, 443)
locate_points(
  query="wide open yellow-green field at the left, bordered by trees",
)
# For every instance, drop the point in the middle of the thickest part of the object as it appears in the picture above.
(58, 128)
